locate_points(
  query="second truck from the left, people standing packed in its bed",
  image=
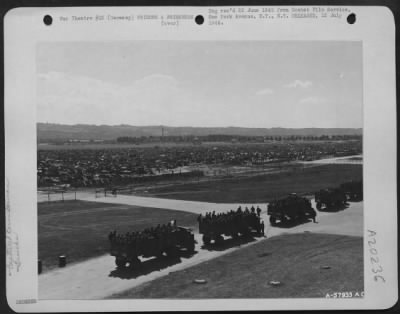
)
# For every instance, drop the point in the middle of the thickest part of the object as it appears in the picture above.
(232, 224)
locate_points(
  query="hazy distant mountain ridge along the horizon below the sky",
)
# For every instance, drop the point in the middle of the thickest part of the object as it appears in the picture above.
(51, 131)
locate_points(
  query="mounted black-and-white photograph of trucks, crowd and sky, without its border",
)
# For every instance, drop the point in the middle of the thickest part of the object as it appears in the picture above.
(211, 169)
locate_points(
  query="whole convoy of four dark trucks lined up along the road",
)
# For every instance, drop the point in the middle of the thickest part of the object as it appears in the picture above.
(171, 239)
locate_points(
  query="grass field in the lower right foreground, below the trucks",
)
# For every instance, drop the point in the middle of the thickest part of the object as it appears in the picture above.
(294, 260)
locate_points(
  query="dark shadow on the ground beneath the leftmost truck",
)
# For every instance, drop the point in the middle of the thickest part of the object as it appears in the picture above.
(148, 266)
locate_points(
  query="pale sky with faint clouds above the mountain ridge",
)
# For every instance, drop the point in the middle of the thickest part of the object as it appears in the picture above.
(201, 83)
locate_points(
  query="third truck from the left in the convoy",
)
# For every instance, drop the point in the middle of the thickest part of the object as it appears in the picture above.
(291, 208)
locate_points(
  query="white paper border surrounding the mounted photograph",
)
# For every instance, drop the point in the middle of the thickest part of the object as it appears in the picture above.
(24, 29)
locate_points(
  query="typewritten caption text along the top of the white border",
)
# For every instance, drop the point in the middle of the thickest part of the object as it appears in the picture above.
(217, 16)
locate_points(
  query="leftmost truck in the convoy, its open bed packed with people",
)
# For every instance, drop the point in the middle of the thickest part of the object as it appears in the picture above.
(153, 242)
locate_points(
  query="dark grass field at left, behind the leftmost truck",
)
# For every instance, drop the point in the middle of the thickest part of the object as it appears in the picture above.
(79, 229)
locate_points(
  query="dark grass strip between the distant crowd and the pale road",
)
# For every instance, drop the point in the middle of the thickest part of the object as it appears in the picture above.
(264, 187)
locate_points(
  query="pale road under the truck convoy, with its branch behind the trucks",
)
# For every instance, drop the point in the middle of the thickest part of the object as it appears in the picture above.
(98, 278)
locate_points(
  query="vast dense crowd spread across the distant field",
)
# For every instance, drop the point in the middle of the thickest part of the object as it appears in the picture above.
(82, 167)
